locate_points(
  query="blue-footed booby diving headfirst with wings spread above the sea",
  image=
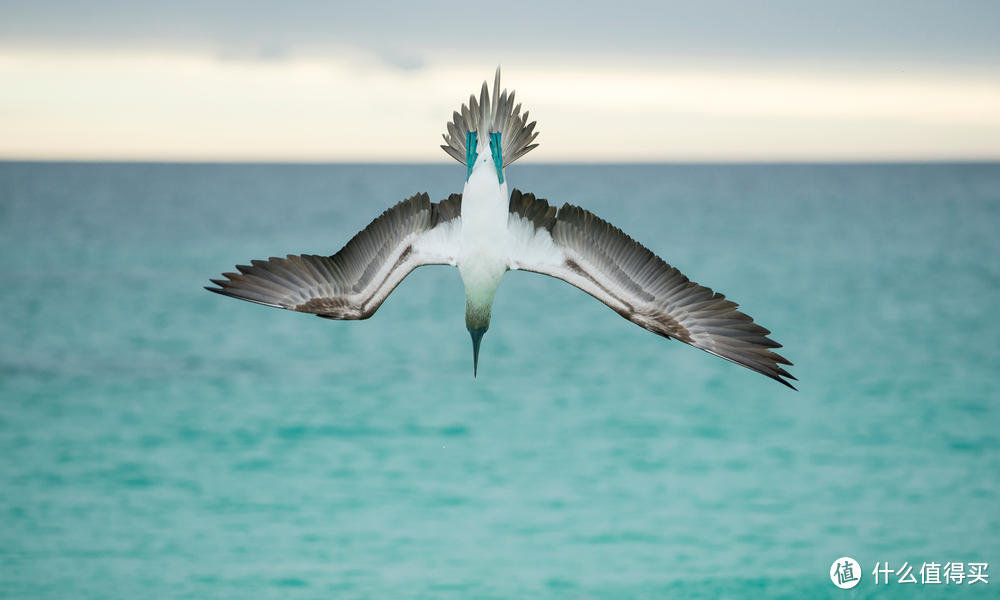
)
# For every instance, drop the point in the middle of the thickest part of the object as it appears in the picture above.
(485, 232)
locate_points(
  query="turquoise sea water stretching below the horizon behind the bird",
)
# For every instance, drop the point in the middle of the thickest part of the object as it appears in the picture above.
(161, 441)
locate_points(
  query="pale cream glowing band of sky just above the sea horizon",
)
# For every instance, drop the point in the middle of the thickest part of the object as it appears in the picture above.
(173, 106)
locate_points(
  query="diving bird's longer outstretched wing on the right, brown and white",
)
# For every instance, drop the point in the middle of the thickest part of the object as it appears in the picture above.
(600, 259)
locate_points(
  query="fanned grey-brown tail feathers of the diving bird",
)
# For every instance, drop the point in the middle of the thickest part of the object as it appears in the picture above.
(494, 113)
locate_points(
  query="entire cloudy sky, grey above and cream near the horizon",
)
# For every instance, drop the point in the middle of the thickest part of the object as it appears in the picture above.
(607, 81)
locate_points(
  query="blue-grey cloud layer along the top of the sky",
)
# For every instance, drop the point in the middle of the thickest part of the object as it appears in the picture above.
(850, 34)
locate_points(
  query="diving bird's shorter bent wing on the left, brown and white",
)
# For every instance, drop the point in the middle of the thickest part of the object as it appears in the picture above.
(354, 282)
